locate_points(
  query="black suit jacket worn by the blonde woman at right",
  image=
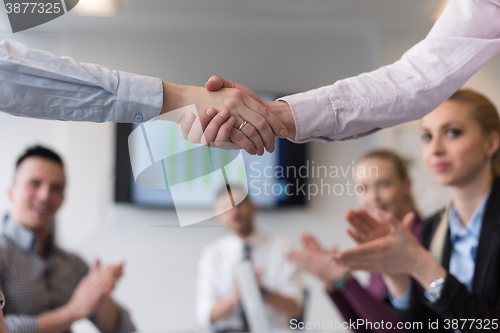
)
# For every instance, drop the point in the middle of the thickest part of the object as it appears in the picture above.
(483, 303)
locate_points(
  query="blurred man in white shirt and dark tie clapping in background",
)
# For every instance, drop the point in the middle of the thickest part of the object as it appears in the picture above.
(218, 299)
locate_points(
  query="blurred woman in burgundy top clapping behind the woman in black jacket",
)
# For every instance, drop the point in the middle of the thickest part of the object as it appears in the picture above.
(387, 186)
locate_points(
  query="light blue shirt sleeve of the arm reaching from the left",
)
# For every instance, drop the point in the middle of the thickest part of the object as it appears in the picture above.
(38, 84)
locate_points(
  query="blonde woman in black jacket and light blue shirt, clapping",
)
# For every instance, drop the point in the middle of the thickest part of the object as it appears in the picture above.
(453, 279)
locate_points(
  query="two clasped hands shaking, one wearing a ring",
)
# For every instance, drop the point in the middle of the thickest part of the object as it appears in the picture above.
(230, 116)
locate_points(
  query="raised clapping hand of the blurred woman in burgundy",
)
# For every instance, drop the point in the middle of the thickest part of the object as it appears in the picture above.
(317, 260)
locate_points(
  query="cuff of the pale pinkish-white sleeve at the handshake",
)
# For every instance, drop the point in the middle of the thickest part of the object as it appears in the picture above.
(309, 123)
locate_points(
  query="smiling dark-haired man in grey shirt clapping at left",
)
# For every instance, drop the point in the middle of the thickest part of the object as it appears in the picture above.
(48, 289)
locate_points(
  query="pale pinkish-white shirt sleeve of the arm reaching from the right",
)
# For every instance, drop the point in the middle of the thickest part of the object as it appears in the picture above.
(463, 39)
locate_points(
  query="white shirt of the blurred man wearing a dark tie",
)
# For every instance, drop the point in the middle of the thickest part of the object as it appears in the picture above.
(216, 276)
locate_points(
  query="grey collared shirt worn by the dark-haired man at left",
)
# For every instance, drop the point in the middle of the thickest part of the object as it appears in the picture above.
(33, 285)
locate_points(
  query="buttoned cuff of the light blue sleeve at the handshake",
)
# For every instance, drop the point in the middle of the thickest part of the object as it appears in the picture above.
(139, 98)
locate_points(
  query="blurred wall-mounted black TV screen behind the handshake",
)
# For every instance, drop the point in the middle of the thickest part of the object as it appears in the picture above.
(272, 180)
